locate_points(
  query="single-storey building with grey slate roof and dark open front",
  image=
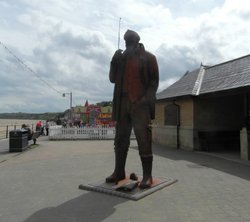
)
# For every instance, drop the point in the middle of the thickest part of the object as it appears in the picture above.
(207, 109)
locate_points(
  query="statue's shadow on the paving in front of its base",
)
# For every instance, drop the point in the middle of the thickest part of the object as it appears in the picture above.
(91, 206)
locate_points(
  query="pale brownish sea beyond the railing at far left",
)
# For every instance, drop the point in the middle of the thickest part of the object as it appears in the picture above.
(7, 125)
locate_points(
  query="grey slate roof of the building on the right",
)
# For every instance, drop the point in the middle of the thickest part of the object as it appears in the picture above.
(224, 76)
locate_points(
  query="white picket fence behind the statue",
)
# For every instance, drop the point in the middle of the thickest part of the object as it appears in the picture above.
(93, 133)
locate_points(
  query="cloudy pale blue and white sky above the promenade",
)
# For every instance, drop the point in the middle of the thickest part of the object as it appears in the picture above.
(52, 47)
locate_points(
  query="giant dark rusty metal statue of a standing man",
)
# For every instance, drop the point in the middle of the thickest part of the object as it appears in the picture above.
(136, 77)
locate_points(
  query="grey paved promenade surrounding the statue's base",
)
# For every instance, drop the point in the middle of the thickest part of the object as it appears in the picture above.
(41, 185)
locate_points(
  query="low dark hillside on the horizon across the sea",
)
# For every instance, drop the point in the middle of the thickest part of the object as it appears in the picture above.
(44, 116)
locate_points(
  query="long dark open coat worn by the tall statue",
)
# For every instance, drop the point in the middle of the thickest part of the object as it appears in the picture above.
(149, 77)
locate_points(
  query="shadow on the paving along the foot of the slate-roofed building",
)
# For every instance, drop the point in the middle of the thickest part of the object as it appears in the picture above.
(235, 168)
